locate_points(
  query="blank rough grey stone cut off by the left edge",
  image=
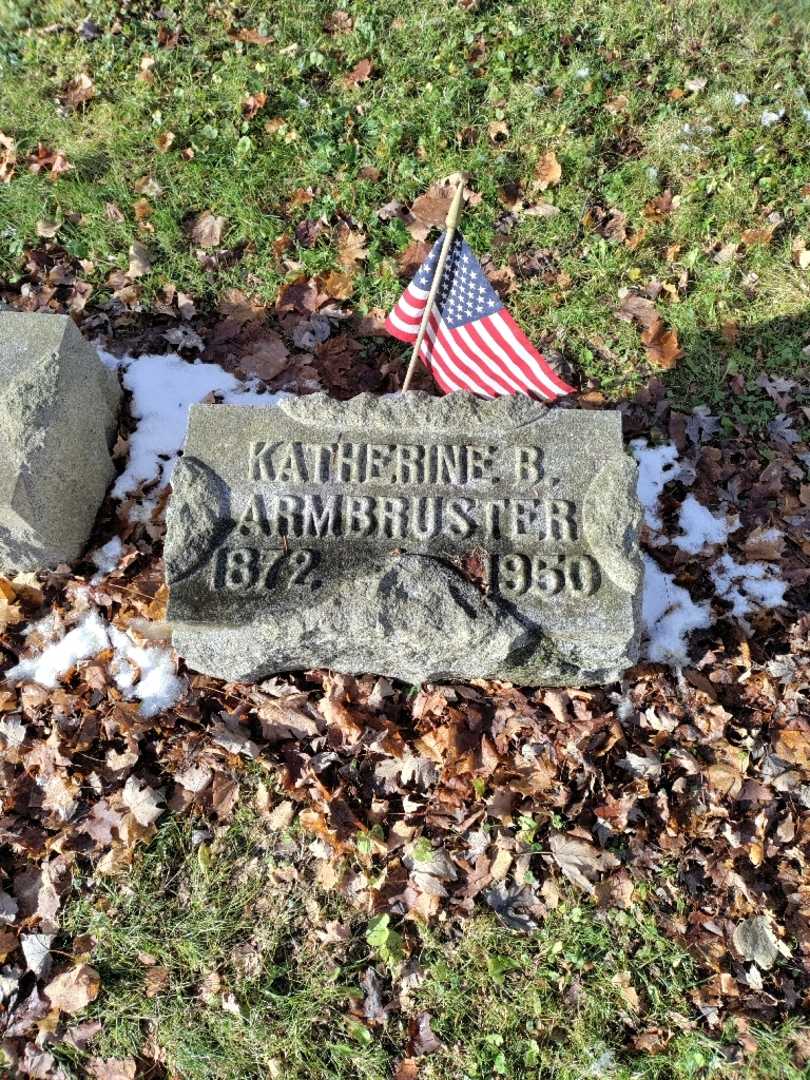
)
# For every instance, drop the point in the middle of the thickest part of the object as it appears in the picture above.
(59, 407)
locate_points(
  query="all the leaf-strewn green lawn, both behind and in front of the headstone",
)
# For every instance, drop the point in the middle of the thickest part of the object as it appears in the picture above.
(682, 131)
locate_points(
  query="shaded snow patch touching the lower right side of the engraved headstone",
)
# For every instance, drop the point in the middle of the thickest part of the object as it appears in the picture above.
(669, 615)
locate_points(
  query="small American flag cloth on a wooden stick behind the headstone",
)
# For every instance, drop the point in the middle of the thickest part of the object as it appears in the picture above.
(472, 343)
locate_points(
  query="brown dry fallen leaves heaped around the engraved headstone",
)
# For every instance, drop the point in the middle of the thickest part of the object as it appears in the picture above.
(463, 794)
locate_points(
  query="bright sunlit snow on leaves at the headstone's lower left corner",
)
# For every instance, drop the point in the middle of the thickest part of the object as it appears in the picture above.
(143, 674)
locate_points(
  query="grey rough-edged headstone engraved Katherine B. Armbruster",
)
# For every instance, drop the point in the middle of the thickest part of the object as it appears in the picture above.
(416, 537)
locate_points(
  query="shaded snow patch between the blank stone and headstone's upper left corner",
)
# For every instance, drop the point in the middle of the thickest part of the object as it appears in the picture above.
(164, 387)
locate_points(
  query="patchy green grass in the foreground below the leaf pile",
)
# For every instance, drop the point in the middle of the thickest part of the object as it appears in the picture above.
(240, 914)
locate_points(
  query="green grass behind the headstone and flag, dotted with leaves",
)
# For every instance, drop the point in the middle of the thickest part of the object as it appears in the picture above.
(441, 76)
